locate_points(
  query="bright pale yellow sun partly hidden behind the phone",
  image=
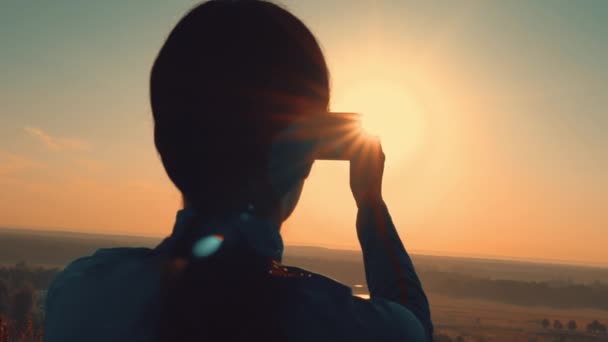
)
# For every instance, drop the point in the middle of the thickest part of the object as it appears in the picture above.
(388, 112)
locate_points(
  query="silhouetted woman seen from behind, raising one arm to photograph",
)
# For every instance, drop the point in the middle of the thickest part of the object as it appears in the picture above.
(231, 77)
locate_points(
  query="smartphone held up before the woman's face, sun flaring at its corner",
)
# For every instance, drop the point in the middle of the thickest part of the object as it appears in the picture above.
(337, 134)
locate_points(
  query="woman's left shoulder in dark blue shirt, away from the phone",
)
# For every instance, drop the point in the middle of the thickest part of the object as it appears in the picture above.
(111, 287)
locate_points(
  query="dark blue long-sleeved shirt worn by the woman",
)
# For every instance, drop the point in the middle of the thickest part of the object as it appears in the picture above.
(114, 294)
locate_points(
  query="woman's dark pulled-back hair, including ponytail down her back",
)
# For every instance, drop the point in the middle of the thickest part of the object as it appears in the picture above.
(230, 76)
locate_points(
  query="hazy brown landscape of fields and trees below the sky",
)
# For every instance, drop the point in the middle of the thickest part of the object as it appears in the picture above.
(471, 299)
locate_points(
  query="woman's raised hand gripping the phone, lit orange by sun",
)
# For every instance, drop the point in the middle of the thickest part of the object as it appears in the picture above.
(366, 171)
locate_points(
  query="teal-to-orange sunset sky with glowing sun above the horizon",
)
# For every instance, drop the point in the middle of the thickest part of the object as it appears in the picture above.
(493, 114)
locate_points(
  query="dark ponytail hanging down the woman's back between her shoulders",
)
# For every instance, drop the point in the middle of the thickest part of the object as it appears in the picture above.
(228, 295)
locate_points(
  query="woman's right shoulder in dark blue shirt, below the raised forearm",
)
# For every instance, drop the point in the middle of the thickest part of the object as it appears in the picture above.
(327, 306)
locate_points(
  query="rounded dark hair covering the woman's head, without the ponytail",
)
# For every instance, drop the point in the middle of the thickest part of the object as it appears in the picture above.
(230, 76)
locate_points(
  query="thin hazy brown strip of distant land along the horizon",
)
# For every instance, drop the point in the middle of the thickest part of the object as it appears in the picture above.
(59, 248)
